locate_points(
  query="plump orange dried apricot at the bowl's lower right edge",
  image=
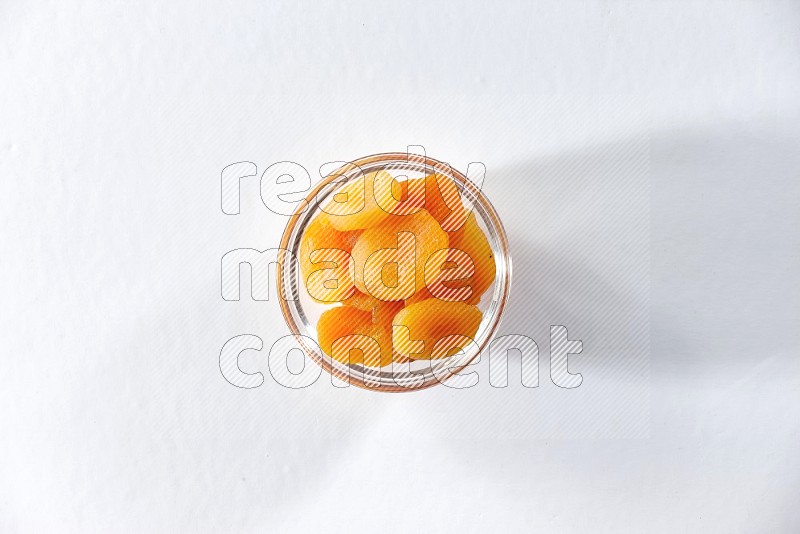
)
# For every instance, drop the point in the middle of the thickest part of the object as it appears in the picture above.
(417, 328)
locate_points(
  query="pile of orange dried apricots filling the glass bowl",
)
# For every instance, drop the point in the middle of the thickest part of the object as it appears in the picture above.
(406, 261)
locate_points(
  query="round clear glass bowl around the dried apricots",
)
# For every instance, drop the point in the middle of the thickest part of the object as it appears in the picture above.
(301, 312)
